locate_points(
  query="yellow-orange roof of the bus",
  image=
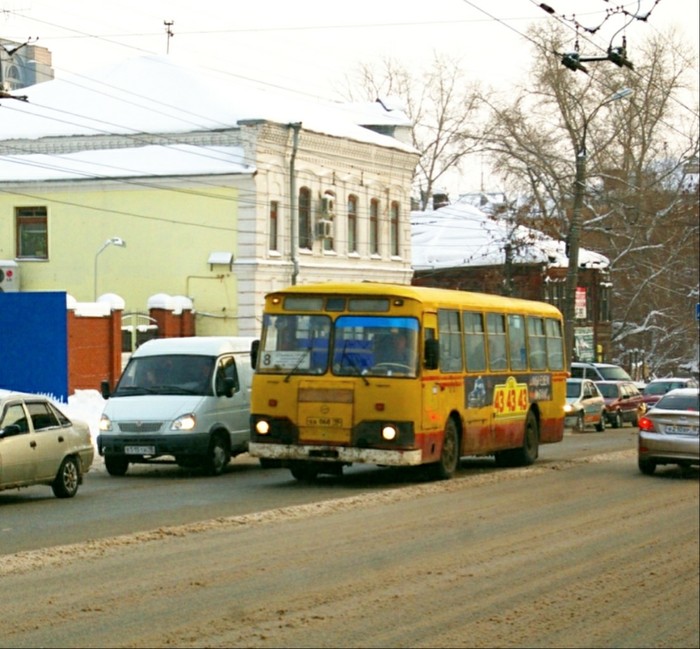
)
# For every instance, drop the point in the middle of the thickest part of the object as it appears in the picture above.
(435, 297)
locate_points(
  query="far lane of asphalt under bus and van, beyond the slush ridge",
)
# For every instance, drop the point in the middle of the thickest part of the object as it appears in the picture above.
(151, 496)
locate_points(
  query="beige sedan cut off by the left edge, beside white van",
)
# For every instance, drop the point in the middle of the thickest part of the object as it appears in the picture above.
(39, 445)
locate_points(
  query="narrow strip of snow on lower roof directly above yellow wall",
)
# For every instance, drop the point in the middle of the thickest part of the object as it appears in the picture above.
(171, 160)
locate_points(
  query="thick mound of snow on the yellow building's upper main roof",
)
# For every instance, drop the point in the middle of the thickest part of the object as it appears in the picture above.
(157, 94)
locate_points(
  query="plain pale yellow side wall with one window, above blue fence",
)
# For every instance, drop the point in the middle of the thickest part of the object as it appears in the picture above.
(169, 235)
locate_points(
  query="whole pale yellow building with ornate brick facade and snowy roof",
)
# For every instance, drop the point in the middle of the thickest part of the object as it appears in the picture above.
(121, 182)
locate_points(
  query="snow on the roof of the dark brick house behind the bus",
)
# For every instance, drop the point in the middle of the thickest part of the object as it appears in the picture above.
(461, 235)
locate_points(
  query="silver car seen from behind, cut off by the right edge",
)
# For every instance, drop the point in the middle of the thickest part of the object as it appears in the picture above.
(668, 433)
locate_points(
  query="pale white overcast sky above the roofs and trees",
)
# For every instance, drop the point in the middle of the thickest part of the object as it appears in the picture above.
(311, 46)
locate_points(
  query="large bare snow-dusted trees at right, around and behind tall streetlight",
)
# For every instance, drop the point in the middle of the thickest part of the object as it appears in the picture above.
(637, 208)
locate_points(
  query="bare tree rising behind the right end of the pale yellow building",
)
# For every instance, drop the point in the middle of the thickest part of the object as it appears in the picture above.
(443, 109)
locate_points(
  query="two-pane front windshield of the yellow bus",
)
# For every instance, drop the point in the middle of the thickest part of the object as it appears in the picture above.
(369, 345)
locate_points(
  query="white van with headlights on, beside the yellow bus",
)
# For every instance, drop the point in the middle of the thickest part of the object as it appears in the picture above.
(182, 399)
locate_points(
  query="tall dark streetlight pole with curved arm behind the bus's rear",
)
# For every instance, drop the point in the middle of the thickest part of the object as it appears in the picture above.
(575, 227)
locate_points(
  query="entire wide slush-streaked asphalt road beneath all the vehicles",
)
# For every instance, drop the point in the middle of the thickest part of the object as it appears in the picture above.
(580, 550)
